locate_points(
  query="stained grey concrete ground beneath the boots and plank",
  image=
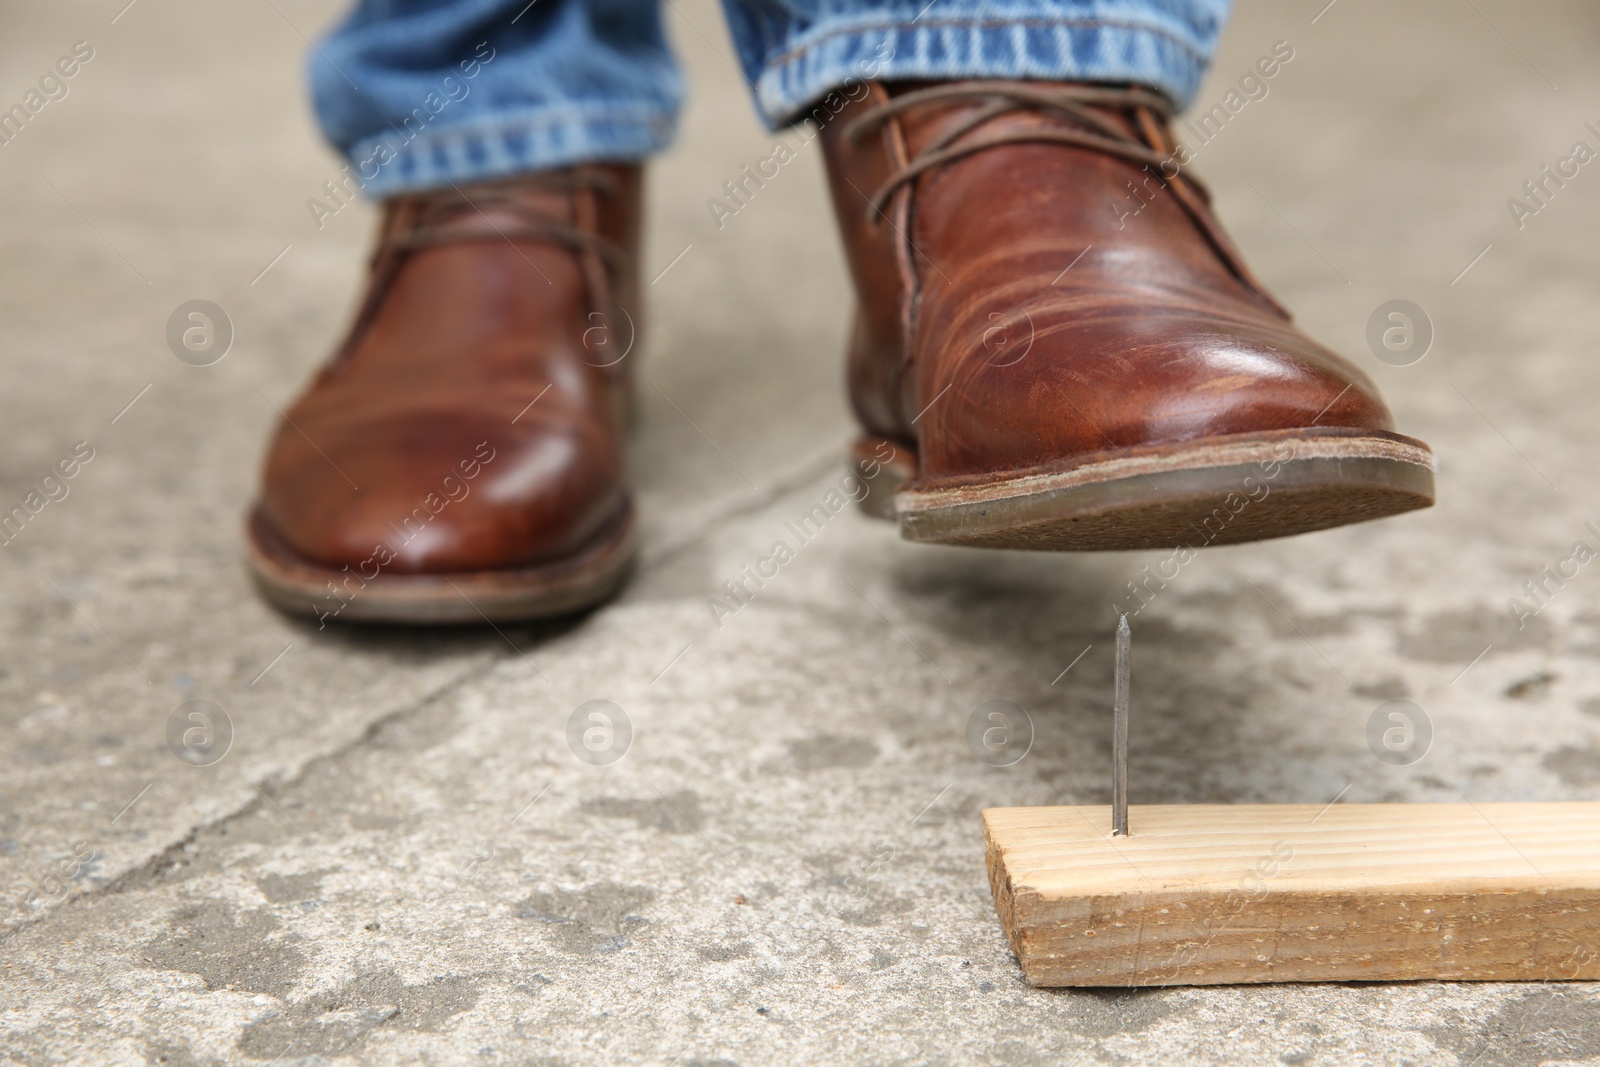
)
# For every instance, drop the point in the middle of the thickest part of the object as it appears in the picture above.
(399, 860)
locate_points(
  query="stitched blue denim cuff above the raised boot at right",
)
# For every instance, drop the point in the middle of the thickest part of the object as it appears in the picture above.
(980, 47)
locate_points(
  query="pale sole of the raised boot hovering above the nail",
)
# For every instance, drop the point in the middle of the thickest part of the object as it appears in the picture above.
(1218, 490)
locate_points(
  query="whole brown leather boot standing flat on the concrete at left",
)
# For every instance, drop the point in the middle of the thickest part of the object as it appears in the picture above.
(460, 458)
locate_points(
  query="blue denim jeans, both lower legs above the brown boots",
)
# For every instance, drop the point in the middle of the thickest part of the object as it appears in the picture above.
(423, 94)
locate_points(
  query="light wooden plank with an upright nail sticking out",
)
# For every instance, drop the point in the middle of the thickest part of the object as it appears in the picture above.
(1204, 895)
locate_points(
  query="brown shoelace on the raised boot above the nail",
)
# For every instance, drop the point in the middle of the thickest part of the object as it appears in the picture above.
(1084, 129)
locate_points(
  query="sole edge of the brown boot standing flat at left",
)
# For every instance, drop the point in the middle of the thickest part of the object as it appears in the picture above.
(548, 591)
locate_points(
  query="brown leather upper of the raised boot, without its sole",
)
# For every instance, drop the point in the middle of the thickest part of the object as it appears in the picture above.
(1028, 303)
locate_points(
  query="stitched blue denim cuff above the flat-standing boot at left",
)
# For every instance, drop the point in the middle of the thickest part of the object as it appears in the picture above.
(511, 145)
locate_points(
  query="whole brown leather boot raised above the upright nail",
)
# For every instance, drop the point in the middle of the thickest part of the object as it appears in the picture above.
(1058, 346)
